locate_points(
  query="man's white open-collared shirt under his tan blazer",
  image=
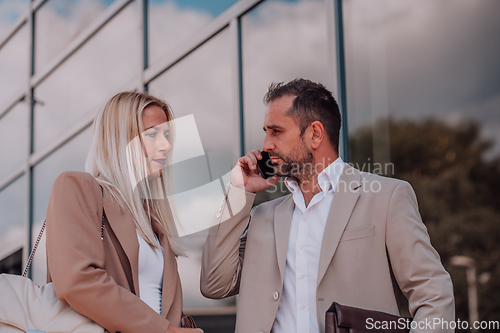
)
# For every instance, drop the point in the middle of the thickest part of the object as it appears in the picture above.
(297, 309)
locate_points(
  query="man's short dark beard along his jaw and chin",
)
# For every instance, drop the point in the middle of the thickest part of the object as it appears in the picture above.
(298, 164)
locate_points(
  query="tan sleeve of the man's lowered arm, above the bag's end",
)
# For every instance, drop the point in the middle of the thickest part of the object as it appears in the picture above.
(416, 264)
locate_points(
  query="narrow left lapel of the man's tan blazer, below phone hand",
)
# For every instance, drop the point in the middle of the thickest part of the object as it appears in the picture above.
(282, 222)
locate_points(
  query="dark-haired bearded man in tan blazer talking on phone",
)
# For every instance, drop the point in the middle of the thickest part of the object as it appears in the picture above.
(342, 235)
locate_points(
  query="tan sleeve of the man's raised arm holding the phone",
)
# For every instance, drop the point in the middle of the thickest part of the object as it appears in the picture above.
(223, 254)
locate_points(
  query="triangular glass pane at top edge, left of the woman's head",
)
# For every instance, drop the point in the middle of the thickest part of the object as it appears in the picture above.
(58, 22)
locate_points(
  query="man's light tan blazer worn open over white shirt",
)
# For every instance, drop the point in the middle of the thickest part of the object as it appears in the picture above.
(373, 224)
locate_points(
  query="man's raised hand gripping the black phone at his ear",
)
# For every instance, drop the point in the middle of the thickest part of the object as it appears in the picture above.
(245, 173)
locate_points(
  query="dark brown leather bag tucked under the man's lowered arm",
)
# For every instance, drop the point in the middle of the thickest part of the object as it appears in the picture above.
(347, 319)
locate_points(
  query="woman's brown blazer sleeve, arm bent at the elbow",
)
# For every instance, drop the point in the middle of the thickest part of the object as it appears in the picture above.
(75, 260)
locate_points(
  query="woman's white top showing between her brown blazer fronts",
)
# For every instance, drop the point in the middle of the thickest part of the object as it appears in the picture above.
(151, 264)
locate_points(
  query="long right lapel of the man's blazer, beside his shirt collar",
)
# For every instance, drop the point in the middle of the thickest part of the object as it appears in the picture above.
(343, 202)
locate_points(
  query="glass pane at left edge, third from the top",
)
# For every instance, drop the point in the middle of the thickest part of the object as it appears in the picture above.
(13, 139)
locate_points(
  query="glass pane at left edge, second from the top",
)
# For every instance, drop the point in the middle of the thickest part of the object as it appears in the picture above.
(14, 66)
